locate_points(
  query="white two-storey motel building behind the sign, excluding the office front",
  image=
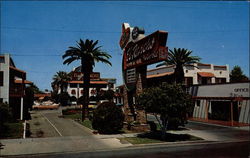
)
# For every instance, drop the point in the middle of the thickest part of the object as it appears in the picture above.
(197, 73)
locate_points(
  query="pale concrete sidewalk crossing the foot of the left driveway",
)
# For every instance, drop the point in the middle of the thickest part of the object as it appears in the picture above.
(59, 144)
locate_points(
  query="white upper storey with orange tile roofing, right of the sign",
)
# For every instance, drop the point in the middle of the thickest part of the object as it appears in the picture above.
(197, 73)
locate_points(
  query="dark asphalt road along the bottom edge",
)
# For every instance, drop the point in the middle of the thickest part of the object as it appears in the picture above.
(204, 150)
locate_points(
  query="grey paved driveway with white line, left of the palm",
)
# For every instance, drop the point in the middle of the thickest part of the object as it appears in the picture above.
(48, 123)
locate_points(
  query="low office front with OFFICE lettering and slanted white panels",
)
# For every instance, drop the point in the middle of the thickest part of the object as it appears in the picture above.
(226, 104)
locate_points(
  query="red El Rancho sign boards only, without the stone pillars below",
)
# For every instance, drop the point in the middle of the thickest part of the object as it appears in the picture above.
(140, 50)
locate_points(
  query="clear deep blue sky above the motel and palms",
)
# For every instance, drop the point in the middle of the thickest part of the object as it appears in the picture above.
(37, 33)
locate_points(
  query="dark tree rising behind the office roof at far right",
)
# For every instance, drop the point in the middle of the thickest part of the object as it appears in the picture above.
(236, 75)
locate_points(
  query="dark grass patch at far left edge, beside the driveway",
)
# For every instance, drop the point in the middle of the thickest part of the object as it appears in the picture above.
(12, 130)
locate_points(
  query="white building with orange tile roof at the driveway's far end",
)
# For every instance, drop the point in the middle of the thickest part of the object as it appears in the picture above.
(75, 85)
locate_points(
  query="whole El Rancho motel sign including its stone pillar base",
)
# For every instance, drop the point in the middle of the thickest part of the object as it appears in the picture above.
(138, 52)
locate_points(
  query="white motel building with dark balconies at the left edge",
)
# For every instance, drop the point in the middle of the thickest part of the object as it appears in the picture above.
(12, 86)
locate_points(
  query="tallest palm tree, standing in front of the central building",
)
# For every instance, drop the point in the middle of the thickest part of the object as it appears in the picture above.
(88, 53)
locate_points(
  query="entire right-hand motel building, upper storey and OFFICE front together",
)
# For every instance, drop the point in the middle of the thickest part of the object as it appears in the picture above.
(216, 99)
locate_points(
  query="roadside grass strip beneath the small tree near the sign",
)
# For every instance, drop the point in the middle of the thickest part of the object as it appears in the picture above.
(155, 137)
